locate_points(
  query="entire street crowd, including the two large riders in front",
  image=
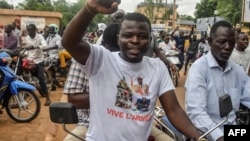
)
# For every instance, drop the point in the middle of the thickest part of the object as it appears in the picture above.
(116, 78)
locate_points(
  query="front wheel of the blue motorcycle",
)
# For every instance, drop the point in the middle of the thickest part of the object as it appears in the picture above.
(29, 108)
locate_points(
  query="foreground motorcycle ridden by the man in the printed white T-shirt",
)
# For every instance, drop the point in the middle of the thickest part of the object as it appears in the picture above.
(65, 113)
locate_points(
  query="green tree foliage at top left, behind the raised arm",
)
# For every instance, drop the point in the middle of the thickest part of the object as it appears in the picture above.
(68, 10)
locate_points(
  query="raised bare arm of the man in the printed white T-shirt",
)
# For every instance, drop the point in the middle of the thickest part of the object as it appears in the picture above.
(72, 37)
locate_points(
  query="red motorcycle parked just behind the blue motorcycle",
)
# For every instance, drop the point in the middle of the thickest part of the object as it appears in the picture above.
(26, 71)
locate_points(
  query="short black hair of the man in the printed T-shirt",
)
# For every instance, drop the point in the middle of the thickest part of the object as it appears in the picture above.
(136, 16)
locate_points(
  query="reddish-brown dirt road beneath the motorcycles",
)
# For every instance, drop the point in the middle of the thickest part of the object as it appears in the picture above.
(38, 129)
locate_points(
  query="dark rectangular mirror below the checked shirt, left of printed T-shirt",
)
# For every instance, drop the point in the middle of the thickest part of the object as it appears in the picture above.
(61, 112)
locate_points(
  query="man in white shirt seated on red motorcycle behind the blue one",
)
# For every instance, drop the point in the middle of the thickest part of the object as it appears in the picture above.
(37, 43)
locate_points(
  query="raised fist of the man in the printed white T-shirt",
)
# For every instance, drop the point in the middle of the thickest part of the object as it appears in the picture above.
(102, 6)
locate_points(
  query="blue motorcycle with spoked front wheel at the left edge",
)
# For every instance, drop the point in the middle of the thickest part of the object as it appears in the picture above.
(17, 97)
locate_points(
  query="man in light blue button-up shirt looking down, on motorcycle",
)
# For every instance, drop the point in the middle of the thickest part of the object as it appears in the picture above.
(212, 76)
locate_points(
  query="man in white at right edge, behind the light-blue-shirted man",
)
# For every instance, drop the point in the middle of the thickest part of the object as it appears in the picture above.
(241, 54)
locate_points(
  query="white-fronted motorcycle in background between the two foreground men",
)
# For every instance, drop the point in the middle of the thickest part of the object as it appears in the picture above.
(173, 57)
